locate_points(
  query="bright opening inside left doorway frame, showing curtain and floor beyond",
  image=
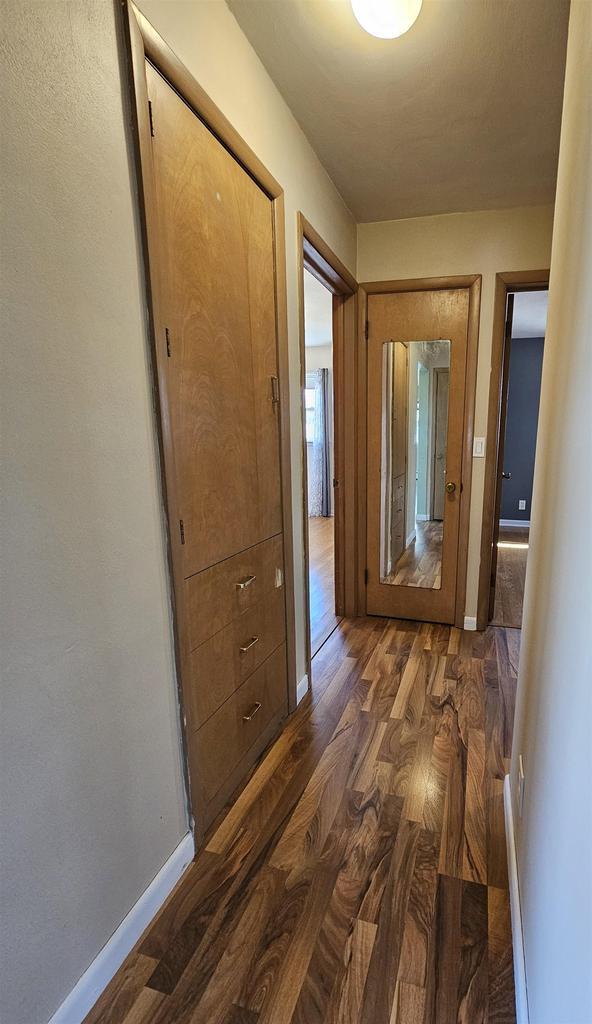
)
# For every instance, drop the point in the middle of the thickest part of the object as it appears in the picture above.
(320, 432)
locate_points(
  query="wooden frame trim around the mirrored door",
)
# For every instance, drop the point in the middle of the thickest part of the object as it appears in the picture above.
(474, 284)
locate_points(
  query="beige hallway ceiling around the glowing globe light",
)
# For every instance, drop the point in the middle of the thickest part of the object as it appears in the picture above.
(461, 113)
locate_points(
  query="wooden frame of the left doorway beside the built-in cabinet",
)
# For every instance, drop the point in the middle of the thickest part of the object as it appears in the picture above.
(316, 257)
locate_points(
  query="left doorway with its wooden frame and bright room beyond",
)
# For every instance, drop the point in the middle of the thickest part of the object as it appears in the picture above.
(328, 361)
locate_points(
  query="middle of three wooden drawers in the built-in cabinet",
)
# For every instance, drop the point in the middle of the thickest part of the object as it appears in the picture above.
(222, 664)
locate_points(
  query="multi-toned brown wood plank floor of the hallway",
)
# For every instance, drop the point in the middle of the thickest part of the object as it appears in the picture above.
(361, 877)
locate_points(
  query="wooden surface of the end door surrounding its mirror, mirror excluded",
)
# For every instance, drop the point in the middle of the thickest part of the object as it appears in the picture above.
(409, 317)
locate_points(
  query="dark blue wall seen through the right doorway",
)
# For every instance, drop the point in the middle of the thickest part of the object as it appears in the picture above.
(523, 417)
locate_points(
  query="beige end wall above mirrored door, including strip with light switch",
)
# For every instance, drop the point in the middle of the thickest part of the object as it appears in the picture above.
(485, 243)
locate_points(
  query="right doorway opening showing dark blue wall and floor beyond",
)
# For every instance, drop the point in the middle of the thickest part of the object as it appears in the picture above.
(521, 393)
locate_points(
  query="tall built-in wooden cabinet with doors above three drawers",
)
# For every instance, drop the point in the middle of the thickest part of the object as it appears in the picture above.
(214, 249)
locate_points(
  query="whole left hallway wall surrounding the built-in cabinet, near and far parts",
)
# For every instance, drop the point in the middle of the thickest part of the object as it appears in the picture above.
(92, 781)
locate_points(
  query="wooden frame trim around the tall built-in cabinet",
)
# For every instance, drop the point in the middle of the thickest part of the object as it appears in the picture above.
(143, 42)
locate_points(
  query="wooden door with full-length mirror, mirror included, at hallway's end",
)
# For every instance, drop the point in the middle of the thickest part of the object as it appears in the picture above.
(417, 370)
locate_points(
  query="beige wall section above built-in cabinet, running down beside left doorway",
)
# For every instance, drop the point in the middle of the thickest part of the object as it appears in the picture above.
(207, 38)
